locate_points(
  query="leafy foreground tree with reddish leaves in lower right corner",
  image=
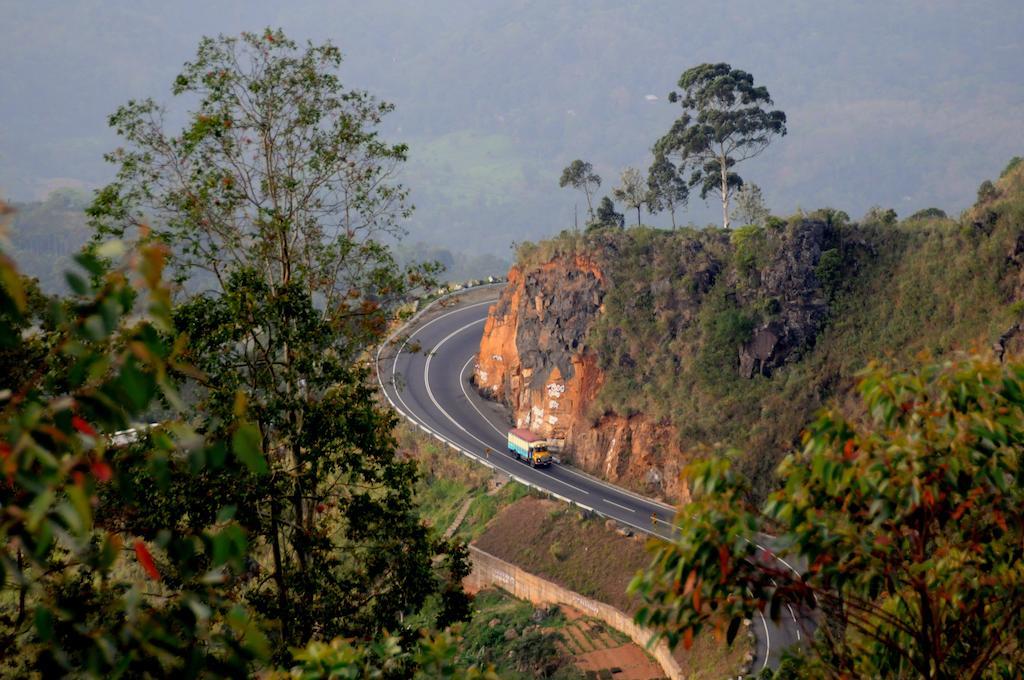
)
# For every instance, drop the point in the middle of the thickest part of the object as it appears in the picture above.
(910, 520)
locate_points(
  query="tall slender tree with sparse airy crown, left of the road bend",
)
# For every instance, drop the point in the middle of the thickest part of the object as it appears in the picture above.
(280, 191)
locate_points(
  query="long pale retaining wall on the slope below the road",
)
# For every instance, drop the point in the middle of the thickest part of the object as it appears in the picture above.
(490, 571)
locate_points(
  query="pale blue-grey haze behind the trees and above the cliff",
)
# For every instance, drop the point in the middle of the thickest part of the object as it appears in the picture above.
(906, 105)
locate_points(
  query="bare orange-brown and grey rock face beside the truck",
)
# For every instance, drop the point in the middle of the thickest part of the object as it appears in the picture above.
(535, 359)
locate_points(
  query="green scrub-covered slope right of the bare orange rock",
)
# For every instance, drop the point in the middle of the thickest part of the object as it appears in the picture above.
(739, 337)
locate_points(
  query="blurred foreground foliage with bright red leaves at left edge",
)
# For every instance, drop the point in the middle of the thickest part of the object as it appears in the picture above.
(78, 596)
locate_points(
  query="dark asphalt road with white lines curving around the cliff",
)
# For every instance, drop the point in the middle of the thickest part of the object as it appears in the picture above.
(432, 390)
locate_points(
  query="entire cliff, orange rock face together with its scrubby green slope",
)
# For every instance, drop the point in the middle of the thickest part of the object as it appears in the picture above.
(636, 349)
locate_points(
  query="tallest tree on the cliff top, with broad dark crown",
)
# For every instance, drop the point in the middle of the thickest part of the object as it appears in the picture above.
(726, 121)
